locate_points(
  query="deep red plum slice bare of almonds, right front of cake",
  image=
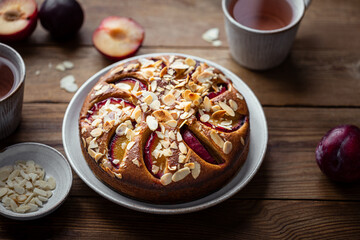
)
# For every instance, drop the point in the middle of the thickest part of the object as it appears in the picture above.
(196, 146)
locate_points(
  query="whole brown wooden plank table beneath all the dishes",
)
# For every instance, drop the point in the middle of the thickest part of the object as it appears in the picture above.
(315, 89)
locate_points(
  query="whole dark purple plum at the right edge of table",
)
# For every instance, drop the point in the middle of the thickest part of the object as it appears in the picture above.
(338, 153)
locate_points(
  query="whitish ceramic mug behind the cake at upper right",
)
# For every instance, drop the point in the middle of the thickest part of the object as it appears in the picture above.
(262, 49)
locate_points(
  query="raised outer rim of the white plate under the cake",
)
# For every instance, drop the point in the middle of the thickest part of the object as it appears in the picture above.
(187, 207)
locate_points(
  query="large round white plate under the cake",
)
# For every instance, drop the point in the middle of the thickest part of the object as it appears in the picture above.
(258, 143)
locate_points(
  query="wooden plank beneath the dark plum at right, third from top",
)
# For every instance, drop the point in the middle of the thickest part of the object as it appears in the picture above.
(289, 170)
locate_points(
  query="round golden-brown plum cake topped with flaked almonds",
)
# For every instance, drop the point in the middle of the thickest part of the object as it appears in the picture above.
(165, 129)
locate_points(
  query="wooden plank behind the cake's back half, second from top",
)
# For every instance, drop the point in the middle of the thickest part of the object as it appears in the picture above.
(314, 78)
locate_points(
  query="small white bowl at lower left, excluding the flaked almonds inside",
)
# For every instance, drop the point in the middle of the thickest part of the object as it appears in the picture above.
(54, 164)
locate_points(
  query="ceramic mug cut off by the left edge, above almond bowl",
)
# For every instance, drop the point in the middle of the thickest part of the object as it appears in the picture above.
(11, 103)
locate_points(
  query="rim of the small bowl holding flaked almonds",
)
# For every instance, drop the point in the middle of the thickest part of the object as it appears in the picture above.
(60, 201)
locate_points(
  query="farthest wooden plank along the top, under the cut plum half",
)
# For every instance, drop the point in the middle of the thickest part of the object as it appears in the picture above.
(328, 24)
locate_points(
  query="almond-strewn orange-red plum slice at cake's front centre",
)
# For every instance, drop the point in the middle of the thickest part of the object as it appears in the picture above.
(149, 159)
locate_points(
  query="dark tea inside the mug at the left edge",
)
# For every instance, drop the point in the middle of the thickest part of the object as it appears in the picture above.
(7, 77)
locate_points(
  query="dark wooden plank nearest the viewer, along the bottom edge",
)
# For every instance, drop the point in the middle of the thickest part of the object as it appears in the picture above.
(93, 218)
